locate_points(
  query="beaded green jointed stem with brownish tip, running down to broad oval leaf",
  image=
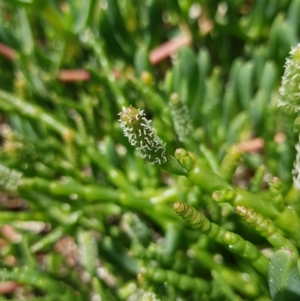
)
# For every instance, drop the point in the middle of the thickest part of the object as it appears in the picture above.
(232, 241)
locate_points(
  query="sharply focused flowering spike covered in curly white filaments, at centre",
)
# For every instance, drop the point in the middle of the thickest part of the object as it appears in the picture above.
(140, 134)
